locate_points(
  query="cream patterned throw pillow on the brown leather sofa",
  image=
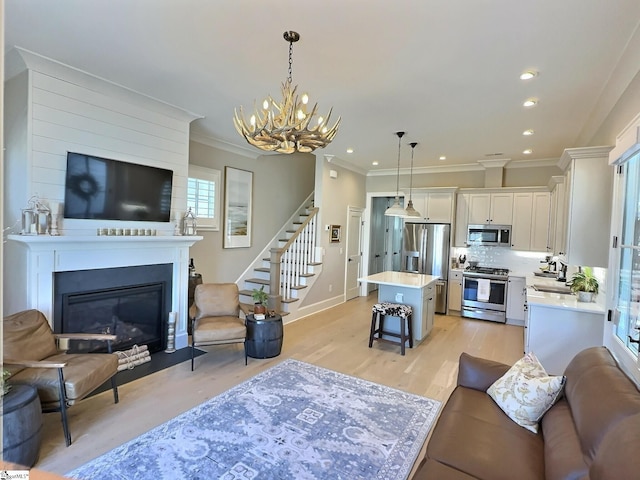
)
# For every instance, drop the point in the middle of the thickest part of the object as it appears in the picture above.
(526, 391)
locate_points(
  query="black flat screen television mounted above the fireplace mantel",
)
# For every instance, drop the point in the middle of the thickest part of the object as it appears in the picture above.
(105, 189)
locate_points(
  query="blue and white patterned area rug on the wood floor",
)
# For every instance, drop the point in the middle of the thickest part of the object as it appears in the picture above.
(292, 421)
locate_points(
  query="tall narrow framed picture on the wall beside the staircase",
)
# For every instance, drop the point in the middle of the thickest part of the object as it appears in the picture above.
(238, 207)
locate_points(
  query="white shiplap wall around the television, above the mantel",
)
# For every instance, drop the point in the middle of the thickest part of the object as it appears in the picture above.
(56, 109)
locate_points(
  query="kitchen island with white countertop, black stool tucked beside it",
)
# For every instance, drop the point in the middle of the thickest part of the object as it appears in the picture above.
(413, 289)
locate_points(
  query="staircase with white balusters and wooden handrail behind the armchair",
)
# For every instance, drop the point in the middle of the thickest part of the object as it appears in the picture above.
(287, 267)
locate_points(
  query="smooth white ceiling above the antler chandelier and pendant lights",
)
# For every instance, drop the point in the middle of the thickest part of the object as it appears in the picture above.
(445, 71)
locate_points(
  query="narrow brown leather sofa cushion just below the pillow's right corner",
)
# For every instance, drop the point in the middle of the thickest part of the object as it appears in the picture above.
(562, 452)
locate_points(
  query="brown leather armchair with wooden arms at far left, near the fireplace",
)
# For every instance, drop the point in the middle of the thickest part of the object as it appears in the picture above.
(32, 355)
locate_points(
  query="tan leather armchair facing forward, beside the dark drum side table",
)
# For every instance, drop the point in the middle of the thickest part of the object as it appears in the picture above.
(216, 318)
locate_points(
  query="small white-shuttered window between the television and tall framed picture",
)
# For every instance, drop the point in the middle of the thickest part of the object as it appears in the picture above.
(203, 196)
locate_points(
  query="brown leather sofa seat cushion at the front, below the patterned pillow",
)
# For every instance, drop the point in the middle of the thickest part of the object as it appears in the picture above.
(475, 437)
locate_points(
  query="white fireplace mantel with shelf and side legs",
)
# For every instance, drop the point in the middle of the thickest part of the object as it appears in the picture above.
(33, 260)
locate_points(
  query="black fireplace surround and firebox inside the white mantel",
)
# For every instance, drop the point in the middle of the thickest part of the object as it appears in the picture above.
(130, 302)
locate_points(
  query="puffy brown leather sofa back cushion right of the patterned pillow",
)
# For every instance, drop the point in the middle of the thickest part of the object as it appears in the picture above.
(600, 396)
